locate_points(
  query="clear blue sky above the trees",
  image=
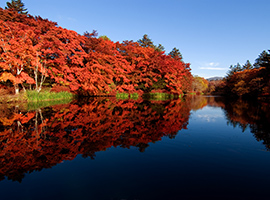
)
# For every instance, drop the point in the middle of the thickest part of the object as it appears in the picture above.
(210, 34)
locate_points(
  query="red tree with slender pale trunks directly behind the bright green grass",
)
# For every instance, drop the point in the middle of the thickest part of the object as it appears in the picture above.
(61, 57)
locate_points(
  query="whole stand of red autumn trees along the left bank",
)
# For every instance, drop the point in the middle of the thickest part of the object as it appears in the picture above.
(36, 53)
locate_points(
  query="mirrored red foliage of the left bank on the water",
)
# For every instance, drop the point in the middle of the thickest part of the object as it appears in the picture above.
(41, 139)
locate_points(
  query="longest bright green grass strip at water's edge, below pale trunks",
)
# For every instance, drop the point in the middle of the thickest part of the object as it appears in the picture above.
(34, 96)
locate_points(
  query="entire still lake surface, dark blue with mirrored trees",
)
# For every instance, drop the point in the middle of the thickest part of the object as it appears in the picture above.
(108, 149)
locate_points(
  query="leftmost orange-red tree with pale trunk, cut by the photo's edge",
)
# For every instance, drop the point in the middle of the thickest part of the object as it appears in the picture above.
(16, 51)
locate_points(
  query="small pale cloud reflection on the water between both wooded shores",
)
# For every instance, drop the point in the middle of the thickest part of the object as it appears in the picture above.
(208, 114)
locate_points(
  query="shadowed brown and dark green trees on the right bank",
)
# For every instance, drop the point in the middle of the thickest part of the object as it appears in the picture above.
(248, 80)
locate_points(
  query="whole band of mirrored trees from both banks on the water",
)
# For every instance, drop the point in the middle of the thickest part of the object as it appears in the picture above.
(33, 140)
